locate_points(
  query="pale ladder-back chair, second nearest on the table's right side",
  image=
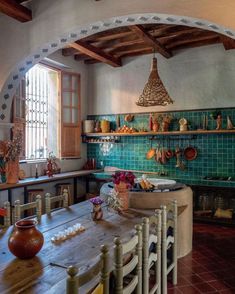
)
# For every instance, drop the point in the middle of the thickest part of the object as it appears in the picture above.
(121, 271)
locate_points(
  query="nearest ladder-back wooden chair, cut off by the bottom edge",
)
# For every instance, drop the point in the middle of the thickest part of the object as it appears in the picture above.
(101, 267)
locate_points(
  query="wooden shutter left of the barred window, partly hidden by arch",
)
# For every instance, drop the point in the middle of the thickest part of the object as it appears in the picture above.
(19, 114)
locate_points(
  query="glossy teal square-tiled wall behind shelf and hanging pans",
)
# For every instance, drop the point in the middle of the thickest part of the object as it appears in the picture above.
(216, 152)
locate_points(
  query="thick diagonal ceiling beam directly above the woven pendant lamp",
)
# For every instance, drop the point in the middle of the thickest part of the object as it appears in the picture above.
(144, 35)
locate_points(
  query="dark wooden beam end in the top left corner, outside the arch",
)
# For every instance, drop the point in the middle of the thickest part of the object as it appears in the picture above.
(15, 10)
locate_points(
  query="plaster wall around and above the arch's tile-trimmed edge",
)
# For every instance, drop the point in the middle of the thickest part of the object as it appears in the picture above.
(54, 19)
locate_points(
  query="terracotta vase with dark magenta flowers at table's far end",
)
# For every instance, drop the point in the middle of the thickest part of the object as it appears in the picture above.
(123, 182)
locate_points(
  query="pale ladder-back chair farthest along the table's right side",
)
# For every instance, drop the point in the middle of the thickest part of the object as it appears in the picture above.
(169, 243)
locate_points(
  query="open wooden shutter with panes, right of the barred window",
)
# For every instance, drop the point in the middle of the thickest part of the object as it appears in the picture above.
(70, 144)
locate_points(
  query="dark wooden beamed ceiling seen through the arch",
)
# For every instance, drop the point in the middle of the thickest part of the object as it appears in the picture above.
(112, 45)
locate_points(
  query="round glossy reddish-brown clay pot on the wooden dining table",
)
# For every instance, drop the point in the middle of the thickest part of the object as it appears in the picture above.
(25, 241)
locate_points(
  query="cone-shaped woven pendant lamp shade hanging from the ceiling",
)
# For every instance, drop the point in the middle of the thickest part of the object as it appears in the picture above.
(154, 92)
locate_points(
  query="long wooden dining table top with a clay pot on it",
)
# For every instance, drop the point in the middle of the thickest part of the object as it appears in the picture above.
(46, 272)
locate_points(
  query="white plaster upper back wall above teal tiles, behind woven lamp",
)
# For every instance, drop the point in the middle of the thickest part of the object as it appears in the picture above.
(197, 78)
